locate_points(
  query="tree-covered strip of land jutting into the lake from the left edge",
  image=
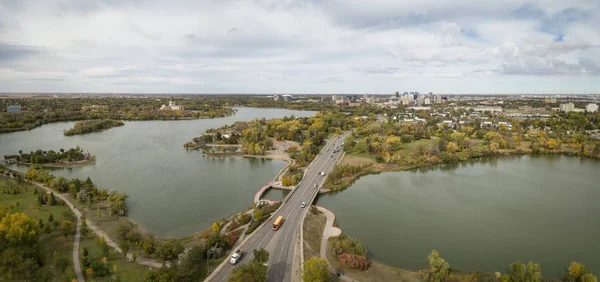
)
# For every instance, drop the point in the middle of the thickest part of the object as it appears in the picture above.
(74, 157)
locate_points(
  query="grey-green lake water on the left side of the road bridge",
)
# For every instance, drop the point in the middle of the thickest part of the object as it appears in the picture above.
(173, 192)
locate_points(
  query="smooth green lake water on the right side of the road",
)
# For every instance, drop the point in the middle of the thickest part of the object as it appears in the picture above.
(480, 215)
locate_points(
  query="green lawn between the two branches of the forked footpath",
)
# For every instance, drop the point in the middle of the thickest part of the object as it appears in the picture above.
(127, 271)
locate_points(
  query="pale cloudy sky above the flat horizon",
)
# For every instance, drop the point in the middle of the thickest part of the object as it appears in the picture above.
(300, 46)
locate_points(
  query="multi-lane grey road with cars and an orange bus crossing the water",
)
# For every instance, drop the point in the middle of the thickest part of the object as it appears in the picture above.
(280, 244)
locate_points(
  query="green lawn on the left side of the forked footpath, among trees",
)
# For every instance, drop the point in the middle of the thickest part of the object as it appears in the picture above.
(48, 243)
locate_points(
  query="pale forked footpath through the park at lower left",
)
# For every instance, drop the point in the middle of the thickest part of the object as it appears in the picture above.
(99, 233)
